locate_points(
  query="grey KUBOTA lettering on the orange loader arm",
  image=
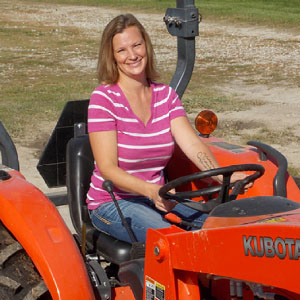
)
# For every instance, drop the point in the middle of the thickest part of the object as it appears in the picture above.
(268, 247)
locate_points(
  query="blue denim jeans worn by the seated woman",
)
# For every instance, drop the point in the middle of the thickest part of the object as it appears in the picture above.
(140, 214)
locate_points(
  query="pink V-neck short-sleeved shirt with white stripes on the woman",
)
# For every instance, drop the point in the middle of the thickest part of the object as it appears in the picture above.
(143, 150)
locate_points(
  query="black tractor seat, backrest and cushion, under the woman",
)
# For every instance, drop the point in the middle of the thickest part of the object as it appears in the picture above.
(79, 168)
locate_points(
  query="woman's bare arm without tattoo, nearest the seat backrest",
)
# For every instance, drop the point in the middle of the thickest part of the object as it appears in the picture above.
(104, 147)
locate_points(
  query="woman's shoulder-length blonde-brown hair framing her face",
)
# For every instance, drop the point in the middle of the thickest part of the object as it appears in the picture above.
(107, 67)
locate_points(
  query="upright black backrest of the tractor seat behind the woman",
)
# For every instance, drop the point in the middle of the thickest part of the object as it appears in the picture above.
(80, 166)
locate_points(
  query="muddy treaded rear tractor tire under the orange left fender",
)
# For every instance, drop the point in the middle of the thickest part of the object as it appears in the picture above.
(19, 279)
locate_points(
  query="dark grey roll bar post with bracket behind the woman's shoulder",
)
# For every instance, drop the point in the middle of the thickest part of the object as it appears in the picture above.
(183, 22)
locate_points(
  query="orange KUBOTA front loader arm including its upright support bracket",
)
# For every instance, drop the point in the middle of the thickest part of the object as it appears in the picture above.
(267, 254)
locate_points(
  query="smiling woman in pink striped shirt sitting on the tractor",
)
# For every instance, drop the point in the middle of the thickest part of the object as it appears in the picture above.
(133, 124)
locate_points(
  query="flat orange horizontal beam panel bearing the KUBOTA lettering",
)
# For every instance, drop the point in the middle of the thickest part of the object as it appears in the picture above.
(227, 252)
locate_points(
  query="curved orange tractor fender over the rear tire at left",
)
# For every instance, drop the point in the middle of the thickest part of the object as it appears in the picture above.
(37, 225)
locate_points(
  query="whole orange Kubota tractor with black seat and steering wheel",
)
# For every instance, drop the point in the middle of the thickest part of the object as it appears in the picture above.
(248, 248)
